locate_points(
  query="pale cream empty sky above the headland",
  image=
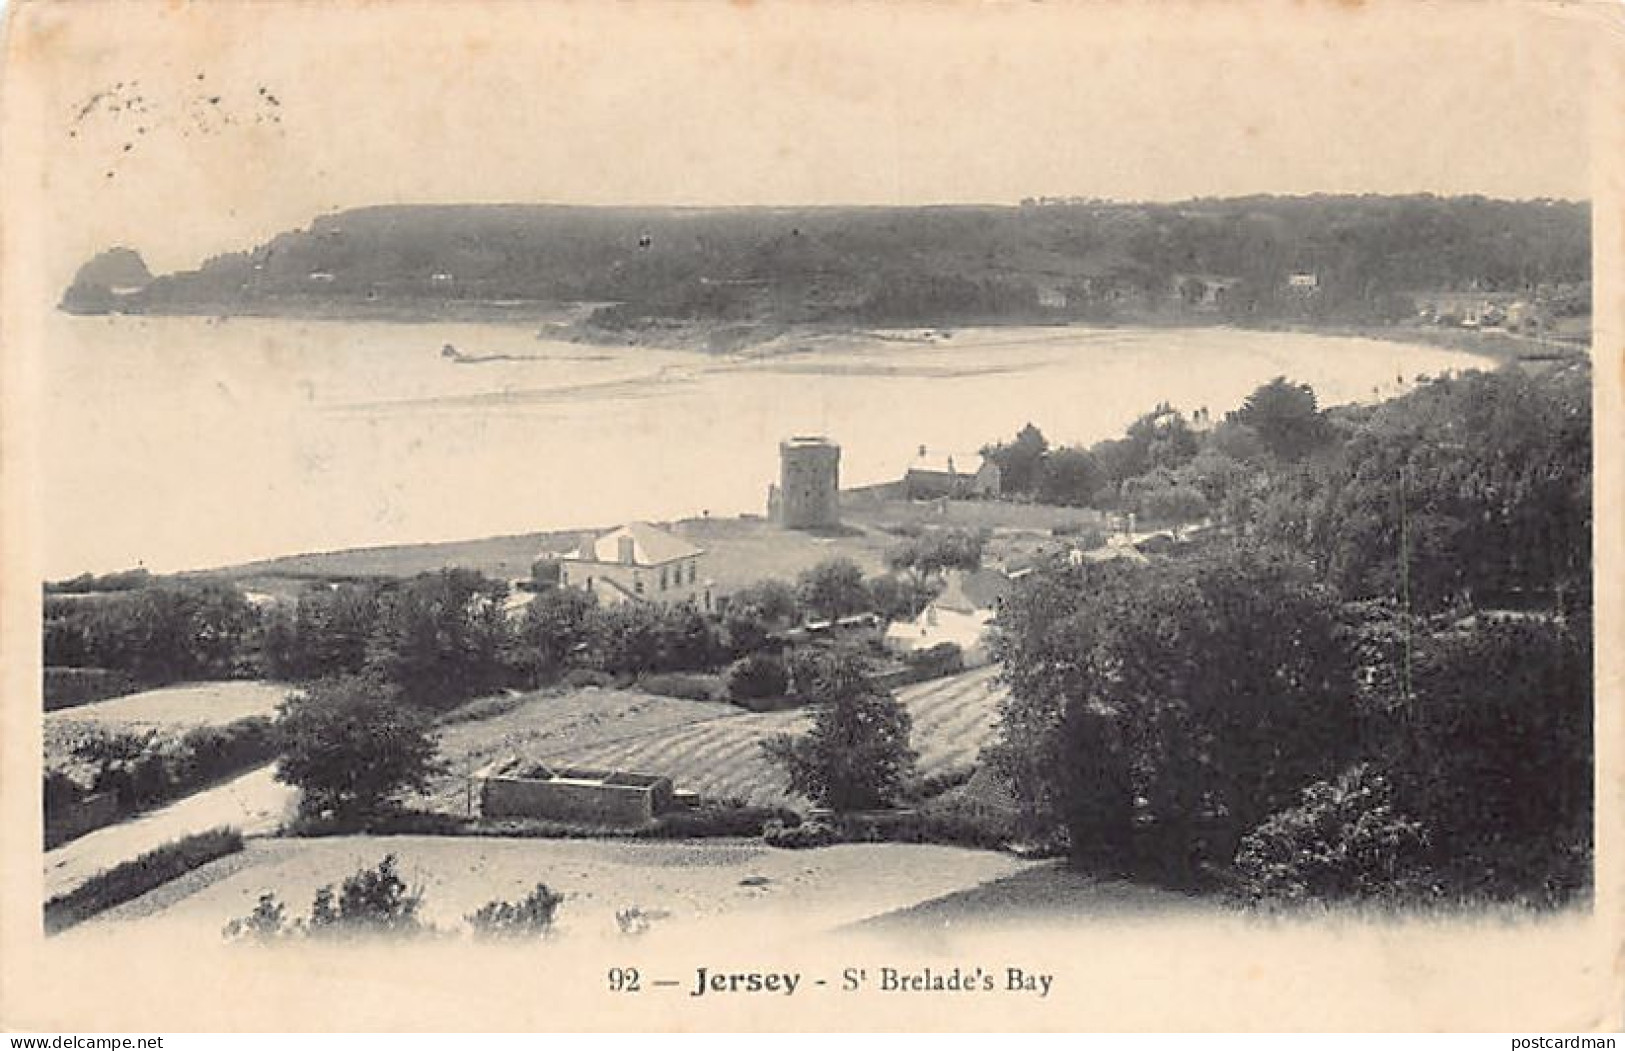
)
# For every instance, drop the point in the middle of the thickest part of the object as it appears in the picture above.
(191, 129)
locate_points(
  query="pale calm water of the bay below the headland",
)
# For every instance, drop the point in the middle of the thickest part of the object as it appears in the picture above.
(191, 443)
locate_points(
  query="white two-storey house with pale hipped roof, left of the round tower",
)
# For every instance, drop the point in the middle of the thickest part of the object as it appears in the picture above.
(639, 564)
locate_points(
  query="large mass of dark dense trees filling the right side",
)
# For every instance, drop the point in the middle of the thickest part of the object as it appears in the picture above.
(1377, 680)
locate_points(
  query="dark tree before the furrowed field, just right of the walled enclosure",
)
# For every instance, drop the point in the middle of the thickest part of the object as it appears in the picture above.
(857, 753)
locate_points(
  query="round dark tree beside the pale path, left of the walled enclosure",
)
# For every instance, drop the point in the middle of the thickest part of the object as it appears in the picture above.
(350, 746)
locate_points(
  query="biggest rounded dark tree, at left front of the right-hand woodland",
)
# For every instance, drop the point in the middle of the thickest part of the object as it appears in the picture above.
(1210, 690)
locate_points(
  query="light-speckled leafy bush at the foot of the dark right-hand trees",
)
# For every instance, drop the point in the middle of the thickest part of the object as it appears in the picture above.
(1345, 841)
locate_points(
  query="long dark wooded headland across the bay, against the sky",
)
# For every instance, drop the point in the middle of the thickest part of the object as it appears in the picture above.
(1265, 257)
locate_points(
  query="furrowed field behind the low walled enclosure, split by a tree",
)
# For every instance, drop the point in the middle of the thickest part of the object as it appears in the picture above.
(708, 748)
